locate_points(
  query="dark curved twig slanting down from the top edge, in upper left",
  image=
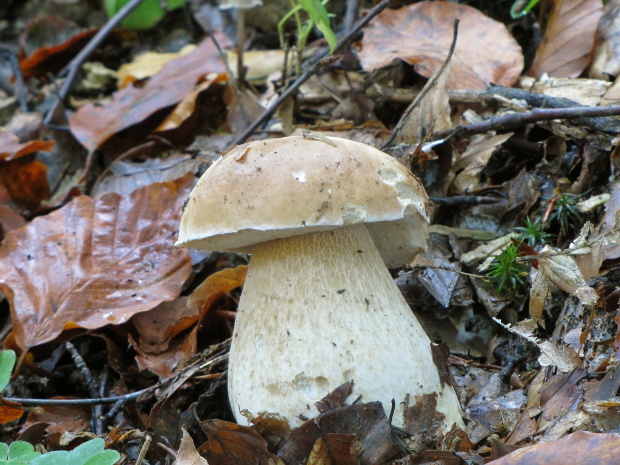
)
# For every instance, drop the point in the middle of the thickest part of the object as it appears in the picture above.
(72, 69)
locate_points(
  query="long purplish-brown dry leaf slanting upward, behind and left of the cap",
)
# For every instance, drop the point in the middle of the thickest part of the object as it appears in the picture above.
(92, 125)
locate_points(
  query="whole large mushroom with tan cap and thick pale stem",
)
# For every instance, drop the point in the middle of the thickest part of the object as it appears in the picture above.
(321, 217)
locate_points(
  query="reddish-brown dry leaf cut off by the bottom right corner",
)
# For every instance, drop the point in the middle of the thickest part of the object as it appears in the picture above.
(580, 448)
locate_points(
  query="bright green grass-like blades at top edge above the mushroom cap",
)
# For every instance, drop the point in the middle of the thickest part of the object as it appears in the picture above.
(317, 16)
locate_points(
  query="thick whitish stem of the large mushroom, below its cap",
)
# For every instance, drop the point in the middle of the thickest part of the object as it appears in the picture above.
(318, 310)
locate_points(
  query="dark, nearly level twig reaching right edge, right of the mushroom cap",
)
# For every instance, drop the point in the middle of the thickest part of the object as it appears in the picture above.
(515, 120)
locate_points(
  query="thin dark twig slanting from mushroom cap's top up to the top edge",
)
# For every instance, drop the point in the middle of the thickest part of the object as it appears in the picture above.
(314, 66)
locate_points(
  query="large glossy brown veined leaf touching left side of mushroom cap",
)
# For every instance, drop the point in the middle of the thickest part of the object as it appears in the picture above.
(94, 262)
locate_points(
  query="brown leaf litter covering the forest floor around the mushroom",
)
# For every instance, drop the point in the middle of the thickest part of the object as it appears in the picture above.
(89, 257)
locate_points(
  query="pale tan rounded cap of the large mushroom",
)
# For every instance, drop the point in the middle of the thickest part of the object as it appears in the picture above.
(277, 188)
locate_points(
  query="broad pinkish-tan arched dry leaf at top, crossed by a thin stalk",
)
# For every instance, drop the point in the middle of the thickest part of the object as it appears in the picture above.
(420, 34)
